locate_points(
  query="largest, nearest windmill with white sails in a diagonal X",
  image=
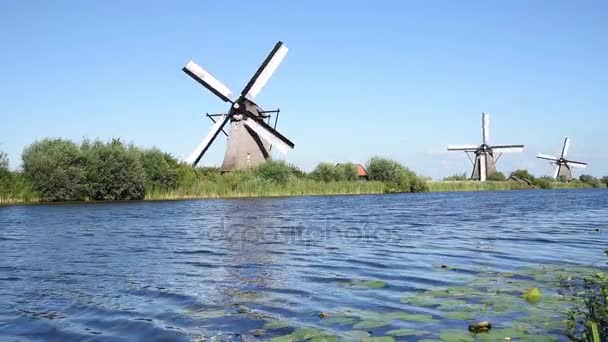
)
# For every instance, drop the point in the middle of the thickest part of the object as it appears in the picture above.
(250, 138)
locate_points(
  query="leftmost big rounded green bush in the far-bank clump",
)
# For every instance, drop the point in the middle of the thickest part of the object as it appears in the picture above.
(55, 167)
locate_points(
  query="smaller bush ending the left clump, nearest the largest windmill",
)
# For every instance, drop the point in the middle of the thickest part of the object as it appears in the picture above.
(159, 167)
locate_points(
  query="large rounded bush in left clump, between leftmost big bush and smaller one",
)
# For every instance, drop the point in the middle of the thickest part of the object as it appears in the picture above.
(114, 172)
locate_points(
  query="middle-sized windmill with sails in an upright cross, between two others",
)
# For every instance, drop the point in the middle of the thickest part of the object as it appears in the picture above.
(486, 155)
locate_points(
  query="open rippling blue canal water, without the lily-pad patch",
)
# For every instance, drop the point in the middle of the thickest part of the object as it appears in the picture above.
(254, 269)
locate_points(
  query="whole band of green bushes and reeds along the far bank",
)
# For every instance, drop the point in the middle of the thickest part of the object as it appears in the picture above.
(57, 170)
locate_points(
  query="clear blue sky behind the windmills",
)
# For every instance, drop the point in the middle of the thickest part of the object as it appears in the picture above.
(400, 79)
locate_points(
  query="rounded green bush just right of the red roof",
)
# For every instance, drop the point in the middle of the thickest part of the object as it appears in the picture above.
(396, 177)
